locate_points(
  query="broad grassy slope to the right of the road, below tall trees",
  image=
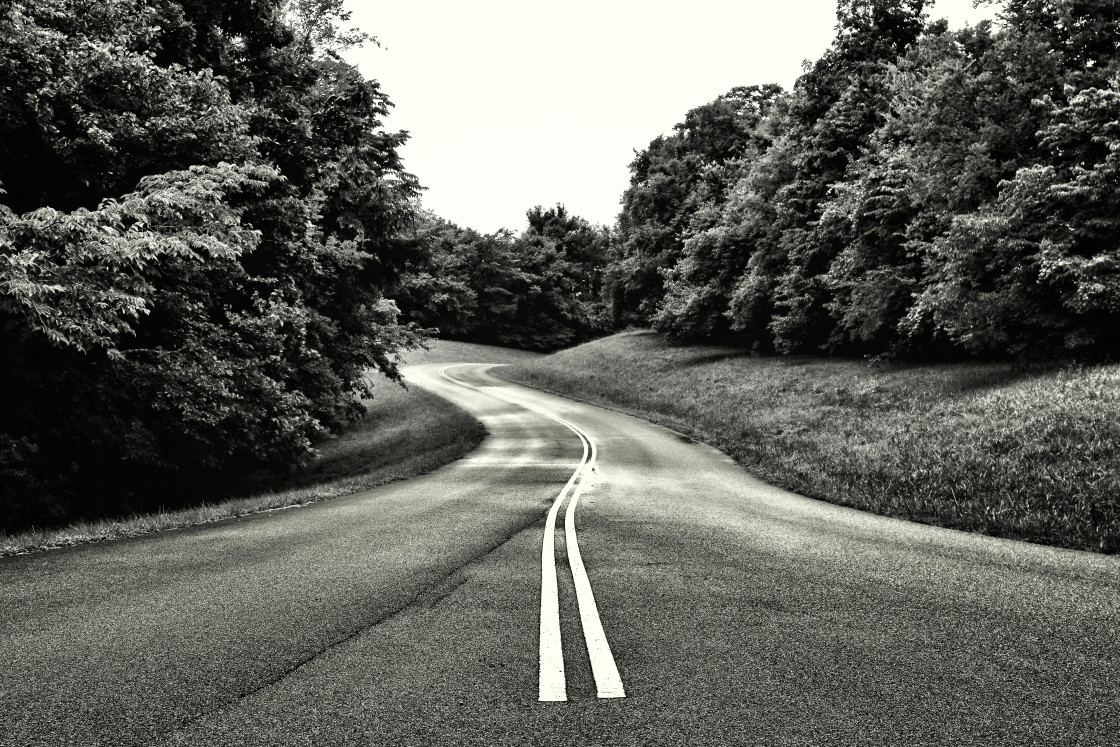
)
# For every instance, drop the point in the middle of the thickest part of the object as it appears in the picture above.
(1030, 455)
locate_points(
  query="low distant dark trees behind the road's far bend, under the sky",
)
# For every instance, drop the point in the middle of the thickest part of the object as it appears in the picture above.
(539, 291)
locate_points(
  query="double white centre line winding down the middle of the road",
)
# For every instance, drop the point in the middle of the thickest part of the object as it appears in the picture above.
(552, 680)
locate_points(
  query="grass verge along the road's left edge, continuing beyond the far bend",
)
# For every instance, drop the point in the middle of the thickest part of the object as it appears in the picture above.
(405, 433)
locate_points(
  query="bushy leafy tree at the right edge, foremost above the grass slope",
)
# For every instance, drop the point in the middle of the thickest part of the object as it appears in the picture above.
(1038, 273)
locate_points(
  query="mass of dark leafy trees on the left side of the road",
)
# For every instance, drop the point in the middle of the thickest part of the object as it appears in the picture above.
(202, 212)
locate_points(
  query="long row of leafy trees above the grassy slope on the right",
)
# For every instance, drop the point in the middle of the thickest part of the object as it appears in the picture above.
(922, 192)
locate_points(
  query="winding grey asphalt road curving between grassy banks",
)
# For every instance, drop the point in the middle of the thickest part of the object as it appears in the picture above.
(733, 613)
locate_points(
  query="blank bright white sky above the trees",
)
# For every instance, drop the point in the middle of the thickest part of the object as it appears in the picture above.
(515, 104)
